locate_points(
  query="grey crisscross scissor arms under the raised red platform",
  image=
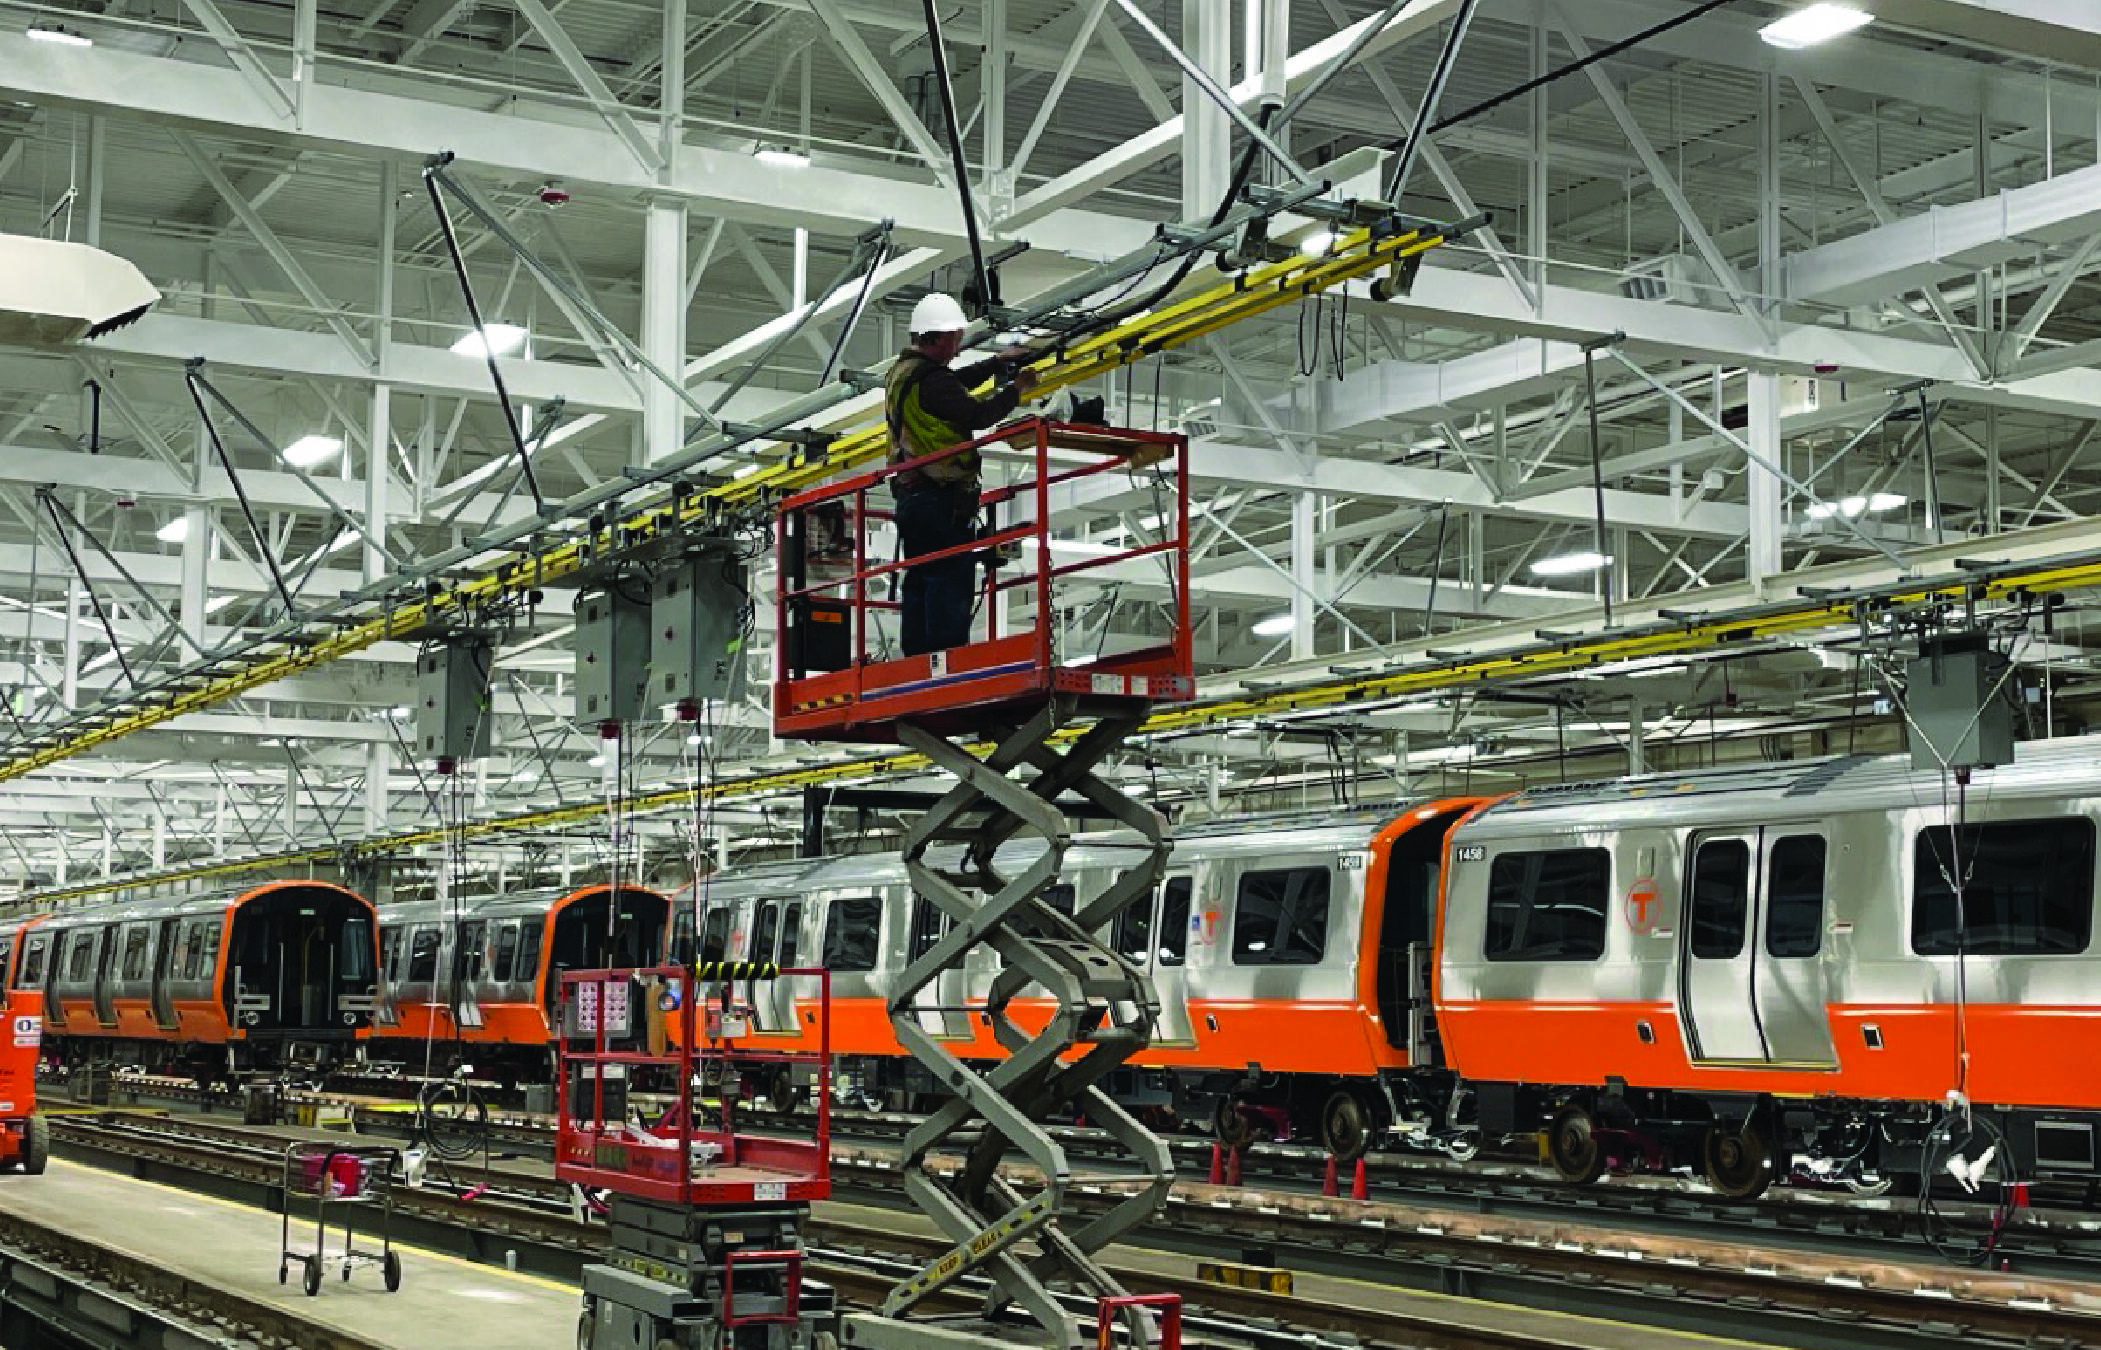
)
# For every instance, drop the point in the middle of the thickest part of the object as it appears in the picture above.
(1102, 1013)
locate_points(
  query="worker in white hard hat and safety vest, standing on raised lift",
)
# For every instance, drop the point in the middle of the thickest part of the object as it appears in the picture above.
(932, 408)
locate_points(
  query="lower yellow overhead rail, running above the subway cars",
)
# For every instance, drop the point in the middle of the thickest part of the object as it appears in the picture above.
(1686, 639)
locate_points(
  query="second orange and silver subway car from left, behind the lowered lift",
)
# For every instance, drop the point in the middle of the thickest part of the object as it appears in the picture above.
(476, 979)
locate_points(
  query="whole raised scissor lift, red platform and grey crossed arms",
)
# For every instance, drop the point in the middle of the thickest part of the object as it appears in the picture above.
(1052, 721)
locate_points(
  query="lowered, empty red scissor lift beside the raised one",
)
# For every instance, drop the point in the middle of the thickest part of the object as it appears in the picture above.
(705, 1221)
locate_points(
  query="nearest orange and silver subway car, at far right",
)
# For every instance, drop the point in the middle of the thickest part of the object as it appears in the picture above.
(1783, 973)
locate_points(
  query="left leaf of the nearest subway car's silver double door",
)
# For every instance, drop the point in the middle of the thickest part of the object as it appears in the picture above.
(1720, 948)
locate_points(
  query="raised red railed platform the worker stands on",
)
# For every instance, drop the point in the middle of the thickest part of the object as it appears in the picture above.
(839, 679)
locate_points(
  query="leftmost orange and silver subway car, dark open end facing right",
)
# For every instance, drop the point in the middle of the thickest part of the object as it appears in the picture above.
(211, 986)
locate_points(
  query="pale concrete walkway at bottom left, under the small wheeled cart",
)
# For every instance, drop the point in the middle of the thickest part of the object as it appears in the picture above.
(442, 1301)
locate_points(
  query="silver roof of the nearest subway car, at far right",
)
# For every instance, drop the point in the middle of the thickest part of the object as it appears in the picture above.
(1747, 795)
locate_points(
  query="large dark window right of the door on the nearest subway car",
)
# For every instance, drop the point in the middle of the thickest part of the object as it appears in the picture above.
(2029, 889)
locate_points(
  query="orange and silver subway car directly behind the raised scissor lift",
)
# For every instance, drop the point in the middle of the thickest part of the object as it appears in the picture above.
(1291, 956)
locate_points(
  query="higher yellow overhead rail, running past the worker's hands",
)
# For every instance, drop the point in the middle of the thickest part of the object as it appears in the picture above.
(1243, 297)
